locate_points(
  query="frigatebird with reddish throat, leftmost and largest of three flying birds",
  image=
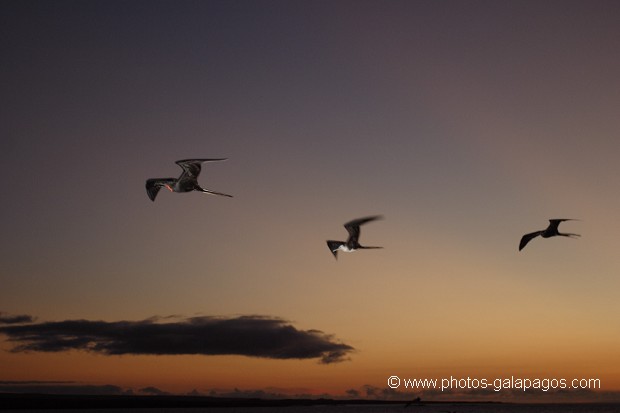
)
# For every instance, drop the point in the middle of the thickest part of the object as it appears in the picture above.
(187, 182)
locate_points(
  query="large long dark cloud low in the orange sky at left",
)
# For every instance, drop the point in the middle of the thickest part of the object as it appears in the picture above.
(253, 336)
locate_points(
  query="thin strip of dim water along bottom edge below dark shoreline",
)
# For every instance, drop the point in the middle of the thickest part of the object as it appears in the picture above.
(457, 408)
